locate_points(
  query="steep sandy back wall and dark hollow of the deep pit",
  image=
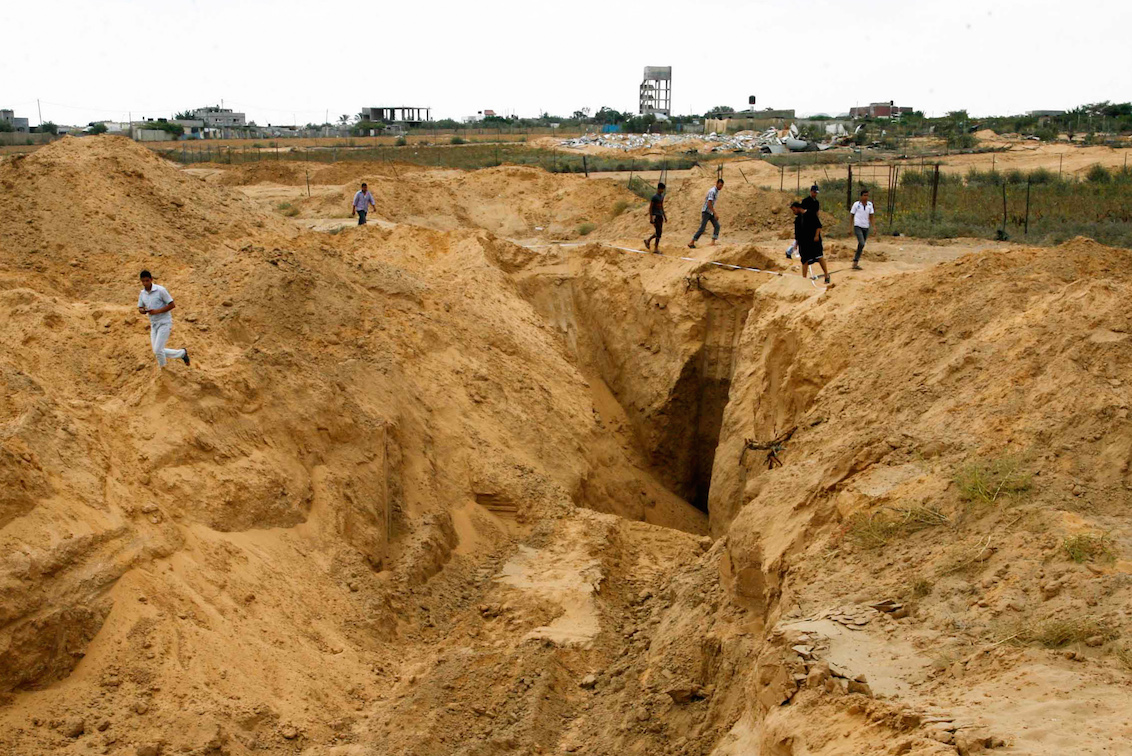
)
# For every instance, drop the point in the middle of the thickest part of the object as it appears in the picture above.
(666, 354)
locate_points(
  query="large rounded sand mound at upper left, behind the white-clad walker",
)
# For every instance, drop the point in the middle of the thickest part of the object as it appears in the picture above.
(124, 208)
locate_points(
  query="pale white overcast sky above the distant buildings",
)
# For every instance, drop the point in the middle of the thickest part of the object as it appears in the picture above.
(286, 63)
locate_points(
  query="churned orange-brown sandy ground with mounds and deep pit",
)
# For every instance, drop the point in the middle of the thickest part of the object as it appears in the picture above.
(468, 480)
